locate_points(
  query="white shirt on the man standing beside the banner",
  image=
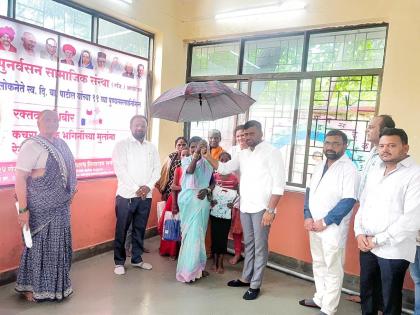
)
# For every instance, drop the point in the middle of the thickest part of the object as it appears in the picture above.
(135, 164)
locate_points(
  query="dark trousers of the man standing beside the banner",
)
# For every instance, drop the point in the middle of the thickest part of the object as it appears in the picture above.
(135, 211)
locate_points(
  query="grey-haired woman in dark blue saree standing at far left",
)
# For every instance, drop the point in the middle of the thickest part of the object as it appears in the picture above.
(45, 185)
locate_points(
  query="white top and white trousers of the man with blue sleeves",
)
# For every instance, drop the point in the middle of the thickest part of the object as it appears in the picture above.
(327, 247)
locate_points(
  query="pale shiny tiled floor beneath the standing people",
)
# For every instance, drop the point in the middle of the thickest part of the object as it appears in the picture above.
(98, 291)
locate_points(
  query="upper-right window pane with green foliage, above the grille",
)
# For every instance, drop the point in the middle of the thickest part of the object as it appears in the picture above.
(352, 49)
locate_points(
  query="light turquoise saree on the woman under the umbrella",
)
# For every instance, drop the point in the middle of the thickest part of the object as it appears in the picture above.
(194, 214)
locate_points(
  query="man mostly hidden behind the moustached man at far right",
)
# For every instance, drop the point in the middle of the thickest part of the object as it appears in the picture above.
(374, 129)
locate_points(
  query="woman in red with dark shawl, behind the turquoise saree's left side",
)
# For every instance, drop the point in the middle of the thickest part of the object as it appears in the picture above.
(164, 185)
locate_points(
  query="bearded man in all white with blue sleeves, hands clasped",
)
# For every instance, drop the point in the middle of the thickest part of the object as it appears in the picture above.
(327, 211)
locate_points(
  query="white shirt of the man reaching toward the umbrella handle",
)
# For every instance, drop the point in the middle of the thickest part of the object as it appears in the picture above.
(262, 174)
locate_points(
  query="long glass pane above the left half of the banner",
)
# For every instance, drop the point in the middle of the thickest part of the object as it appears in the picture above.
(55, 16)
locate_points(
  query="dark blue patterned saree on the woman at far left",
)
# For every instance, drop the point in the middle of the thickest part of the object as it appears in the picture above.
(44, 269)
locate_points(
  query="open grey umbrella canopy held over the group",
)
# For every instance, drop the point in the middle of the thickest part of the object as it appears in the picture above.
(198, 101)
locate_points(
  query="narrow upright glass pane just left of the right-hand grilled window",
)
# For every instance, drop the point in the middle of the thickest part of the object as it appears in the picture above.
(301, 132)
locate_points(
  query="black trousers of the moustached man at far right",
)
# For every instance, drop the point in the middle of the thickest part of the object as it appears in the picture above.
(381, 283)
